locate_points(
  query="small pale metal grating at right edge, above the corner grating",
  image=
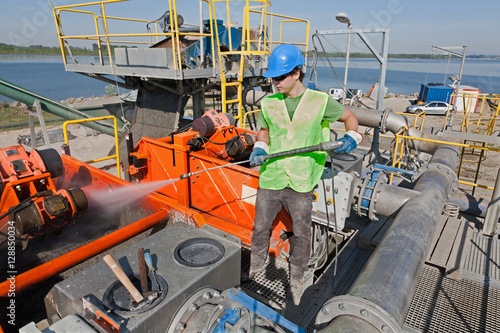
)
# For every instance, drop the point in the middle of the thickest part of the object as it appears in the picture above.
(482, 262)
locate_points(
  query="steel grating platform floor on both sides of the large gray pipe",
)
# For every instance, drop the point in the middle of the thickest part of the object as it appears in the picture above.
(466, 301)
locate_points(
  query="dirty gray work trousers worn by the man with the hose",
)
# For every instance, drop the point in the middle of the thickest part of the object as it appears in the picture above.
(267, 206)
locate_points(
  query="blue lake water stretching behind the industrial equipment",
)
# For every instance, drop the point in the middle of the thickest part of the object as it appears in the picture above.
(46, 75)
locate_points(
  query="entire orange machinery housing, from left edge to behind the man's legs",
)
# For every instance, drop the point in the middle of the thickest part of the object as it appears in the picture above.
(223, 198)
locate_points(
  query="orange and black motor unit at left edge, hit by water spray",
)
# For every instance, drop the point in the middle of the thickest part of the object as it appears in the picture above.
(29, 198)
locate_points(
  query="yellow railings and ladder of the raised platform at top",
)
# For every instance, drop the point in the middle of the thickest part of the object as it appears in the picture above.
(252, 44)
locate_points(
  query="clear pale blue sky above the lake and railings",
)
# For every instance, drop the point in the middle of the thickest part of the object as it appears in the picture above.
(415, 25)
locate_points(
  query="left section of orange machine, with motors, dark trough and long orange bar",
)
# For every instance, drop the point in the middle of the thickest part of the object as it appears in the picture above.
(29, 179)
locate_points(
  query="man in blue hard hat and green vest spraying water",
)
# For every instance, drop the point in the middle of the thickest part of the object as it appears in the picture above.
(295, 117)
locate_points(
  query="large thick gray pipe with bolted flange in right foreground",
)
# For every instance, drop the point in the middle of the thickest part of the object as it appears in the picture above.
(388, 281)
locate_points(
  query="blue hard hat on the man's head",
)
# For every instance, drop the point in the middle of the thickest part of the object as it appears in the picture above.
(283, 60)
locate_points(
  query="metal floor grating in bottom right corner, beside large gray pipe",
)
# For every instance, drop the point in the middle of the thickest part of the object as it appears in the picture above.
(444, 305)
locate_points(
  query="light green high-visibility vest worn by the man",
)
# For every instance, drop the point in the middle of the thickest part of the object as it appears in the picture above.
(300, 172)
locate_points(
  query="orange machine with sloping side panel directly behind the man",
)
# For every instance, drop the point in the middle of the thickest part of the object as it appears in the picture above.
(225, 197)
